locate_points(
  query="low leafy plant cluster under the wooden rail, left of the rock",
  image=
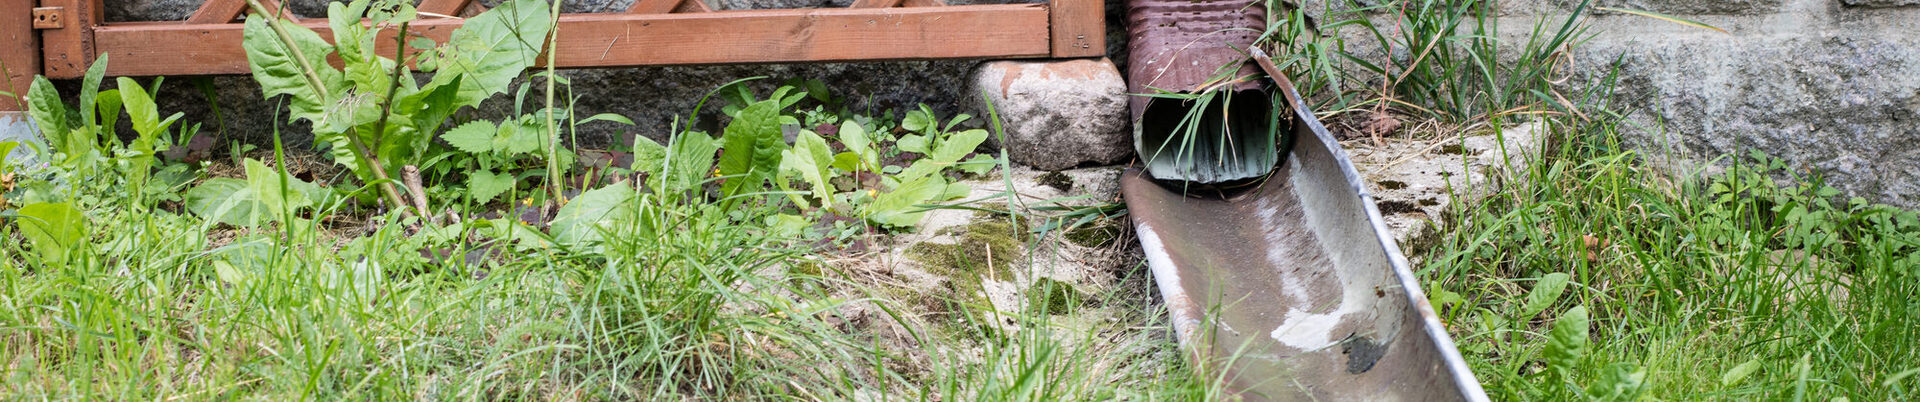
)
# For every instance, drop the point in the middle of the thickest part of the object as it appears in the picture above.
(834, 166)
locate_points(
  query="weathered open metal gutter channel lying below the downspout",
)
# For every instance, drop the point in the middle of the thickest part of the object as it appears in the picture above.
(1295, 288)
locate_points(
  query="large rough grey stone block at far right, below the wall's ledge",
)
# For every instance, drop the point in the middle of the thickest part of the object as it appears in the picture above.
(1844, 109)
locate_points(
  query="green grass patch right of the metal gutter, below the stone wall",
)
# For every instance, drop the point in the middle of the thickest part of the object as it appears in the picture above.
(1731, 286)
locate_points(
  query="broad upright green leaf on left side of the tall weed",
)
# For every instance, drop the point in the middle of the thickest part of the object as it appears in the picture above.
(279, 72)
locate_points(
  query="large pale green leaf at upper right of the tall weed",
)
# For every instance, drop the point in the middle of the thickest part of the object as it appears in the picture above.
(492, 49)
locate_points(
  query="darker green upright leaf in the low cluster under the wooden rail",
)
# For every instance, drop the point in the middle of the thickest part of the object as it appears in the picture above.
(754, 145)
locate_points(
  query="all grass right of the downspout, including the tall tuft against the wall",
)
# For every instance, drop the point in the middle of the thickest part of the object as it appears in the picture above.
(1602, 278)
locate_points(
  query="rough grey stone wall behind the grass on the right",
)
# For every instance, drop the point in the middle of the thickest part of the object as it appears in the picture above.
(1829, 86)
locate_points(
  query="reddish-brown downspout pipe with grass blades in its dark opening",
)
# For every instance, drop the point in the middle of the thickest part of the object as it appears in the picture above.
(1199, 47)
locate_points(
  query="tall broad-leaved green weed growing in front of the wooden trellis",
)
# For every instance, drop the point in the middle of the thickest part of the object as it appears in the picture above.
(373, 114)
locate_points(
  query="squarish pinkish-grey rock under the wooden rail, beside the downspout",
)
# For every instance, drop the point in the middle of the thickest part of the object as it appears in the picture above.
(1059, 114)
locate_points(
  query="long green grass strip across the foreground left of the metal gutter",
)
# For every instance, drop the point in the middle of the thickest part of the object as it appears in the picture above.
(688, 297)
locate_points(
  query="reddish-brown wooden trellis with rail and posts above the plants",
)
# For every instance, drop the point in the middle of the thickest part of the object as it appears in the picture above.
(650, 34)
